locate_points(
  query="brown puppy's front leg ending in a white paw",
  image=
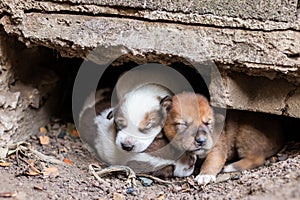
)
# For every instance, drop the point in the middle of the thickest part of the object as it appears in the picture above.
(212, 165)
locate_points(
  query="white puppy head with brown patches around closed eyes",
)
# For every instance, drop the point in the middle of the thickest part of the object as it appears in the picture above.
(139, 118)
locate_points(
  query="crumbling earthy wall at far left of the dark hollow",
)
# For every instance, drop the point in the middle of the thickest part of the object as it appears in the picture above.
(25, 86)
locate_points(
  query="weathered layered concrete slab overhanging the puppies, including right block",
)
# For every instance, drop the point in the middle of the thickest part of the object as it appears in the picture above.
(255, 43)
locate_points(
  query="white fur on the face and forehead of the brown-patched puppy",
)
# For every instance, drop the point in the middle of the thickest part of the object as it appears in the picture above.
(136, 105)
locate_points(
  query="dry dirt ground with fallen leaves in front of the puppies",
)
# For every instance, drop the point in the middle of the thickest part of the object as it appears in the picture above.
(26, 175)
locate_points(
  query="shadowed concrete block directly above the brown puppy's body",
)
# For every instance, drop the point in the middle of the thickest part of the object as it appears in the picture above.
(260, 94)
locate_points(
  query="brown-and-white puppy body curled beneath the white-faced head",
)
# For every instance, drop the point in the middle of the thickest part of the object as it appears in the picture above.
(100, 134)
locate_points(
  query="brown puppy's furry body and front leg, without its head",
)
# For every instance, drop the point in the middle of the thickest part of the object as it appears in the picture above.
(252, 137)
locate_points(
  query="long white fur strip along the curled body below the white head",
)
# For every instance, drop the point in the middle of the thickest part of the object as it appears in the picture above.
(108, 152)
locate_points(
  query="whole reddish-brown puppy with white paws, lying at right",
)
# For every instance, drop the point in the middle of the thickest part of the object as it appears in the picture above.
(252, 137)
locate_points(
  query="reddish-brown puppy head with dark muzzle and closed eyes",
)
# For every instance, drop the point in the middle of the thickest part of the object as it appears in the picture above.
(190, 122)
